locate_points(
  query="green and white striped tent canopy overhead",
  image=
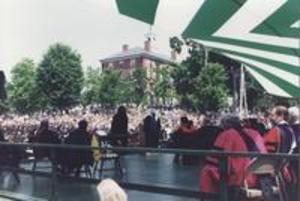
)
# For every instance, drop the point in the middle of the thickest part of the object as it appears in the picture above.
(262, 34)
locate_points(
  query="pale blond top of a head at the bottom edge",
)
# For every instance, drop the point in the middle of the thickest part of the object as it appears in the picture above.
(109, 190)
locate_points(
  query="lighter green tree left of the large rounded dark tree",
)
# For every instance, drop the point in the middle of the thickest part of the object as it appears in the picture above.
(23, 93)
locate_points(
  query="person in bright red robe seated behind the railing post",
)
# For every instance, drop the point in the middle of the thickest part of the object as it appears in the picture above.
(234, 138)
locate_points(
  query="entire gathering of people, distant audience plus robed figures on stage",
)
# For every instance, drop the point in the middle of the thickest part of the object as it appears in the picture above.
(275, 132)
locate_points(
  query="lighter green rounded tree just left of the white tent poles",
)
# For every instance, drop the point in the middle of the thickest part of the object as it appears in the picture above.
(211, 91)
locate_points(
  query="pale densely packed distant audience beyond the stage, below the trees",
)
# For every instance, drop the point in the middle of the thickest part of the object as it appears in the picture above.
(19, 128)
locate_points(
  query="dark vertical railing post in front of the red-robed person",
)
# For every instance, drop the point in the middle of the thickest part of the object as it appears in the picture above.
(223, 178)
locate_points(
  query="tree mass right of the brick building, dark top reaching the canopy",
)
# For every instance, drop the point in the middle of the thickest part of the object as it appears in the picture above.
(200, 86)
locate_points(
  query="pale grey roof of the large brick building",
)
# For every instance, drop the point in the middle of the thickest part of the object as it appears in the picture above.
(137, 52)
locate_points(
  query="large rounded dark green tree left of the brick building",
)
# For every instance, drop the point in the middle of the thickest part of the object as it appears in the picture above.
(60, 76)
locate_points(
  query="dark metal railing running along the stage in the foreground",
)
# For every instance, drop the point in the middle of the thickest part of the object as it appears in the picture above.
(223, 156)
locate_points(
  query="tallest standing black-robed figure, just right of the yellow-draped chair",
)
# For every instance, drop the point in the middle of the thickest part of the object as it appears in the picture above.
(119, 128)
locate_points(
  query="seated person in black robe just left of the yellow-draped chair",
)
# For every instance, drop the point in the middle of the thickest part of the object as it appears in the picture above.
(77, 158)
